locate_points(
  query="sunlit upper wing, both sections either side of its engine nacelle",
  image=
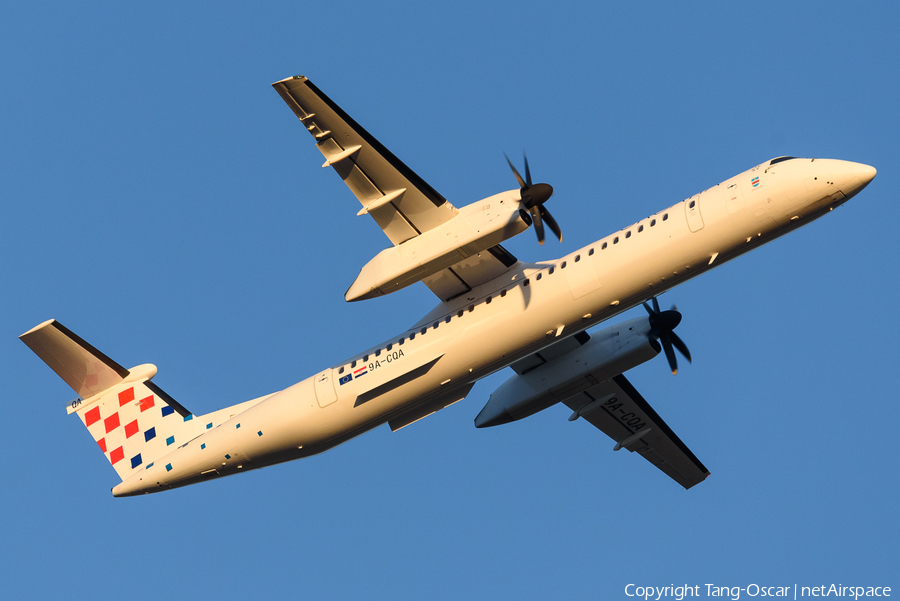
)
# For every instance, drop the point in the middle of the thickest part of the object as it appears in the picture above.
(399, 201)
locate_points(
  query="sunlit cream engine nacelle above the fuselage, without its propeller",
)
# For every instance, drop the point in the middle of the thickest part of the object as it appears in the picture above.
(476, 228)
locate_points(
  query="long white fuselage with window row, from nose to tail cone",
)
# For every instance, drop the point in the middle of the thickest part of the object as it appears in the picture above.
(436, 362)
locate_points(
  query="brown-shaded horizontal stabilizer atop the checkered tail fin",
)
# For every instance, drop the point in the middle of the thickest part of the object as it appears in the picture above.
(80, 365)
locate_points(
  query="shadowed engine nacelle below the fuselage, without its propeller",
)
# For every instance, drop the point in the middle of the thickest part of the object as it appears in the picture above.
(608, 353)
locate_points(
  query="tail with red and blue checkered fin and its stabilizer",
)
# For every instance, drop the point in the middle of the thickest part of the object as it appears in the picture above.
(132, 420)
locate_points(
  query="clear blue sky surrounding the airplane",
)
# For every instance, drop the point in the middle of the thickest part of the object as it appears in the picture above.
(160, 200)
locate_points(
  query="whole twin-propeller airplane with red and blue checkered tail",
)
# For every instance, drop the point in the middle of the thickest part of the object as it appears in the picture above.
(494, 311)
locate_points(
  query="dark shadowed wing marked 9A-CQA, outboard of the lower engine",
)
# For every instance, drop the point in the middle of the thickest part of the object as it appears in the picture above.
(616, 408)
